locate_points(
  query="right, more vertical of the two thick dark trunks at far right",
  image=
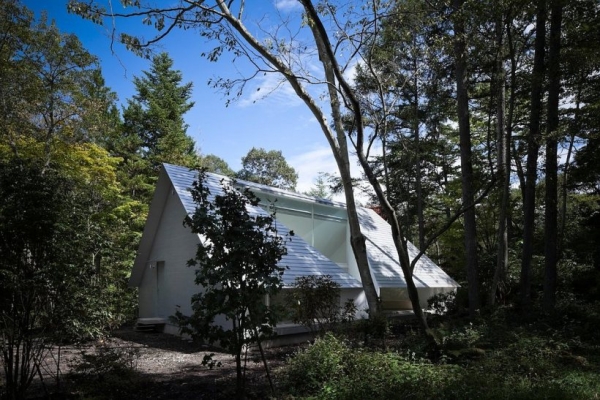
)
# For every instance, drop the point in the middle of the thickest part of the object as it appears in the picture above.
(551, 195)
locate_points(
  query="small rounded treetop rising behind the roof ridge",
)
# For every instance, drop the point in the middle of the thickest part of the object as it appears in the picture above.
(268, 168)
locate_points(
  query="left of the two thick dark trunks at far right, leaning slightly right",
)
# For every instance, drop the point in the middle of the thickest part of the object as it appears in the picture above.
(533, 145)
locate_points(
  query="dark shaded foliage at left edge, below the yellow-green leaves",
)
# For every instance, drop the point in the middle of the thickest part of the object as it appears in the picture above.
(51, 288)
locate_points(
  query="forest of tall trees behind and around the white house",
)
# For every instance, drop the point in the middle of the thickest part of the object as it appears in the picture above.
(485, 118)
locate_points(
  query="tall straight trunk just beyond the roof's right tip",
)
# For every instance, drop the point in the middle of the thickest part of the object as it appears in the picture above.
(466, 164)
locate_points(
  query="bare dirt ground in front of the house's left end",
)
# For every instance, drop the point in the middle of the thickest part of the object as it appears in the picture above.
(164, 367)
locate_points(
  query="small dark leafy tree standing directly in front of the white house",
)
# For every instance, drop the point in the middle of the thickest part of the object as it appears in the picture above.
(237, 270)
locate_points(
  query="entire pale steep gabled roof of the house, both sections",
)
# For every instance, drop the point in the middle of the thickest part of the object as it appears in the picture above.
(302, 259)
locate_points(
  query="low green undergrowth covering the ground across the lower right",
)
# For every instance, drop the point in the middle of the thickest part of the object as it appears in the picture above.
(496, 356)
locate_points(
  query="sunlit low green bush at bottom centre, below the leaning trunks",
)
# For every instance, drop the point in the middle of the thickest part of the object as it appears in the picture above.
(330, 369)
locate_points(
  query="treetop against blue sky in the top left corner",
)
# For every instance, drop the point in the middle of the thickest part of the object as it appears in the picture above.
(48, 84)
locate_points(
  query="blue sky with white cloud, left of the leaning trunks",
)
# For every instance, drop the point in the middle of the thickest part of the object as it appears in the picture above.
(278, 122)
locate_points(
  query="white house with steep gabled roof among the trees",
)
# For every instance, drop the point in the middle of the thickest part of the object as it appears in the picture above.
(320, 246)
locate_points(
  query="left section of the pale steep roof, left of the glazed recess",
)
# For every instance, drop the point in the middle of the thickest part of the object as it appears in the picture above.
(301, 259)
